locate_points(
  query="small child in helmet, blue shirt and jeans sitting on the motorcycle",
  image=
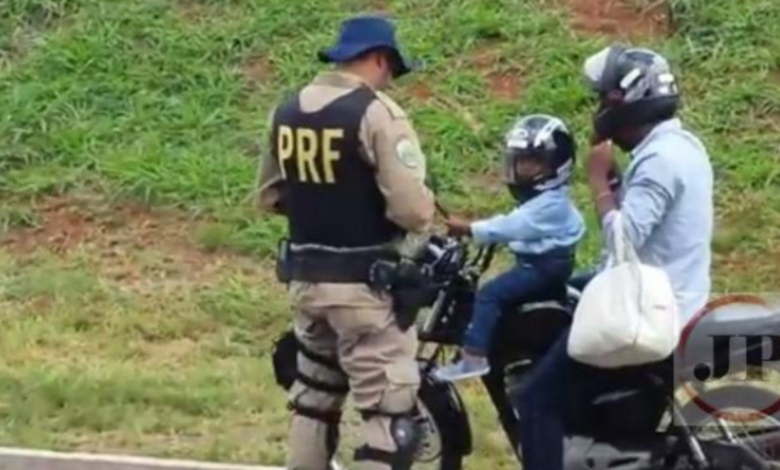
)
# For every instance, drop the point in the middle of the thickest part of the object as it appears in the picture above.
(542, 232)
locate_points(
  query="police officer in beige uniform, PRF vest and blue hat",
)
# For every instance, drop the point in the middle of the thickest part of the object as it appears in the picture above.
(347, 171)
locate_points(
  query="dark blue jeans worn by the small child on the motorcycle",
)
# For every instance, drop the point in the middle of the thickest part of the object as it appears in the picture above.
(529, 275)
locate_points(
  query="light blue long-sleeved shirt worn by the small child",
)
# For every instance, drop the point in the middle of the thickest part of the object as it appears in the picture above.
(543, 223)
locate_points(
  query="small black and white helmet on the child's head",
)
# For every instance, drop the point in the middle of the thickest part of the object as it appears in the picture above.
(539, 155)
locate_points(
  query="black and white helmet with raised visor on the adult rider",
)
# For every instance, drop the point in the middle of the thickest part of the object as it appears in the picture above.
(635, 87)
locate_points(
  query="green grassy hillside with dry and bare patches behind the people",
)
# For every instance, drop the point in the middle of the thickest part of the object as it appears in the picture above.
(135, 294)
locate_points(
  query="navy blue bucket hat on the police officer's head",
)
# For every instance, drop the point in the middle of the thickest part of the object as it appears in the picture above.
(364, 33)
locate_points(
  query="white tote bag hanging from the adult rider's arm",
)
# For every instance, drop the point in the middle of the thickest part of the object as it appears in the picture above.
(628, 314)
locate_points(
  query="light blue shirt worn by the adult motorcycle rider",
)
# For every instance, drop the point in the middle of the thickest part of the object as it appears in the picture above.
(667, 208)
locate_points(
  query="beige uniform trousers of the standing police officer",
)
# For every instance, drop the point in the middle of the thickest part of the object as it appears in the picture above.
(355, 326)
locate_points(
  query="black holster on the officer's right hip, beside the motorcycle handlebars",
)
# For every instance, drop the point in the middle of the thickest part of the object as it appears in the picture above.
(408, 285)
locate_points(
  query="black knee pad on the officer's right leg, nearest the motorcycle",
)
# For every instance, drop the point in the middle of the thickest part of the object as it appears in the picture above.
(407, 434)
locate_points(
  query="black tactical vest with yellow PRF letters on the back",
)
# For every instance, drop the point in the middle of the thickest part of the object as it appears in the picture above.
(331, 195)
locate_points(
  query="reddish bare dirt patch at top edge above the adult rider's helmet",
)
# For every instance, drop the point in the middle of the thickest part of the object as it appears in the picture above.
(623, 19)
